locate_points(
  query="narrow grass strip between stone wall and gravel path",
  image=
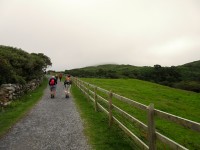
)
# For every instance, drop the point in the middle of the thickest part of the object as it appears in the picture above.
(19, 108)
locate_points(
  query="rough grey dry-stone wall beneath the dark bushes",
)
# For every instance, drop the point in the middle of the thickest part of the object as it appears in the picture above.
(10, 92)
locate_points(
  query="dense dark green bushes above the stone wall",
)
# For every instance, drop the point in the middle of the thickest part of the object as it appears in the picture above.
(18, 66)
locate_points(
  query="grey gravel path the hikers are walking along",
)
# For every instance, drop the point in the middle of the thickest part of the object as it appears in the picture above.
(53, 124)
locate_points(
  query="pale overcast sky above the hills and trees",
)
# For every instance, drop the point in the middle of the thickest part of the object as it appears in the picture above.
(79, 33)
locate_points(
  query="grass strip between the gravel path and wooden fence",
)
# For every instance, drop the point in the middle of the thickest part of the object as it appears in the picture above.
(96, 127)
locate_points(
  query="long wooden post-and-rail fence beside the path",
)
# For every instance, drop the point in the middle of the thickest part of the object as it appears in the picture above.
(153, 135)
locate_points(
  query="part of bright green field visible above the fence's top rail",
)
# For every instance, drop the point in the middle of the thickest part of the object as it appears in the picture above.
(168, 99)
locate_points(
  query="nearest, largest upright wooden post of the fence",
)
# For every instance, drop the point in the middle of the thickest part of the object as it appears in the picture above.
(151, 128)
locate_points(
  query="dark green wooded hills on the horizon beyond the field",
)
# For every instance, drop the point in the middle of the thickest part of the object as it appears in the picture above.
(185, 76)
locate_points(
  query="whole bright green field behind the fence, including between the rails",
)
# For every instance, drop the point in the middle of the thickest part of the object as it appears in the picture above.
(178, 102)
